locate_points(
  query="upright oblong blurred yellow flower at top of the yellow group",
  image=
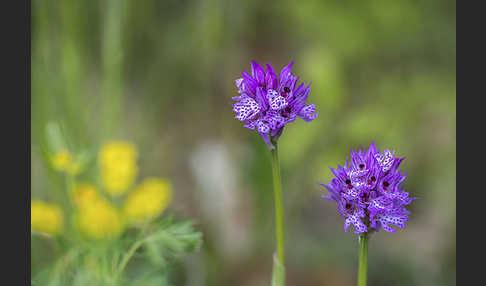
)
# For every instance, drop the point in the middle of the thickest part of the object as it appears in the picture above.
(118, 166)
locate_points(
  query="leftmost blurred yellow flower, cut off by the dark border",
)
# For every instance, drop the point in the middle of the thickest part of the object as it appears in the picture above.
(45, 217)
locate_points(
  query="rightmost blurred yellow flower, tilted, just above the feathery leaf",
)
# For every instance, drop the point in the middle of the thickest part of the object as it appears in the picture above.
(148, 200)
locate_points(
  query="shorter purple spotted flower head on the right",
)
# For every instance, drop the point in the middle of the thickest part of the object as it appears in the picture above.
(368, 191)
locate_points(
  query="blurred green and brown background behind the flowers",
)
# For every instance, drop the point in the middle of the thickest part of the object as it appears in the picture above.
(161, 74)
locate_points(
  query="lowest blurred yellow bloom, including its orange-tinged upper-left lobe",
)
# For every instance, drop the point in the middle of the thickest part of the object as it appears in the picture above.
(95, 217)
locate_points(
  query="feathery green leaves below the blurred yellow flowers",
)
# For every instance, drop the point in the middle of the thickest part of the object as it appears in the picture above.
(156, 247)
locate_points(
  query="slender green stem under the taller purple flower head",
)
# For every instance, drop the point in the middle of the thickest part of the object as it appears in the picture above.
(277, 191)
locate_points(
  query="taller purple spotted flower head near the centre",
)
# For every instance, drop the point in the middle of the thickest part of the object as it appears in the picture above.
(267, 103)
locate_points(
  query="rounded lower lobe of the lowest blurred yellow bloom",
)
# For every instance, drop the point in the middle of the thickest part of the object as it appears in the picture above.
(98, 219)
